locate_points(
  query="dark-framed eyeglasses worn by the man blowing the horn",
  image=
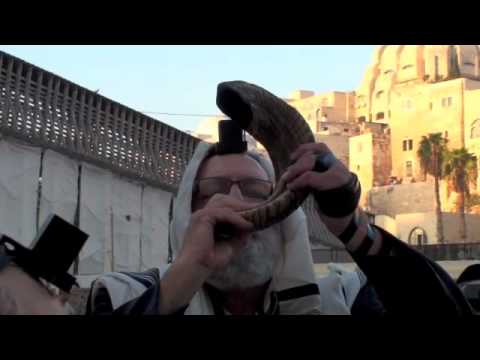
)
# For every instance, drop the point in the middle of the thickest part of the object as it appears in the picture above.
(252, 189)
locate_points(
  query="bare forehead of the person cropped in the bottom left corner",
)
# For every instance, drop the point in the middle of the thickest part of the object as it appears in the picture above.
(22, 295)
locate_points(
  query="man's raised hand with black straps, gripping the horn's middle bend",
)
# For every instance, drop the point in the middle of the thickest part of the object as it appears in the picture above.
(301, 175)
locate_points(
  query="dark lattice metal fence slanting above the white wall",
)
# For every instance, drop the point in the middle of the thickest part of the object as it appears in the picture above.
(46, 110)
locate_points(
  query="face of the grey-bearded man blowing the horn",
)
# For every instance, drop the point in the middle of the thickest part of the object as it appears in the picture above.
(254, 265)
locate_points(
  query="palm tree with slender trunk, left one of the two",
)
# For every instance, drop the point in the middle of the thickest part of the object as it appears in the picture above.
(430, 152)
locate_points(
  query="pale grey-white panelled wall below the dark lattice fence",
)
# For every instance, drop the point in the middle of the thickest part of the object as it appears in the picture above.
(127, 221)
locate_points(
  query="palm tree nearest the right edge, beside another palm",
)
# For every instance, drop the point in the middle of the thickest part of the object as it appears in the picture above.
(460, 170)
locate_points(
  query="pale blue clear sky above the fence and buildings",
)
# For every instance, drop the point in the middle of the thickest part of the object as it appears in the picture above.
(182, 79)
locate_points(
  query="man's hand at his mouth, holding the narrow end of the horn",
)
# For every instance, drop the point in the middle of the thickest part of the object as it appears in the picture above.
(200, 246)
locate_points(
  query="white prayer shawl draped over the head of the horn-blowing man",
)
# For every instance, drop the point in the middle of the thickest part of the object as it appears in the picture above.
(296, 269)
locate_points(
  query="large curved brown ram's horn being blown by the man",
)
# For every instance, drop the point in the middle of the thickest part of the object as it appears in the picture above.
(280, 129)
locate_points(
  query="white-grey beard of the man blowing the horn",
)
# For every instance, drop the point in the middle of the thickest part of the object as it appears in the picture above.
(254, 265)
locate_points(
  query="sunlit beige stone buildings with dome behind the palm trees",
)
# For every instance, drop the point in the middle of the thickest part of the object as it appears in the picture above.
(407, 92)
